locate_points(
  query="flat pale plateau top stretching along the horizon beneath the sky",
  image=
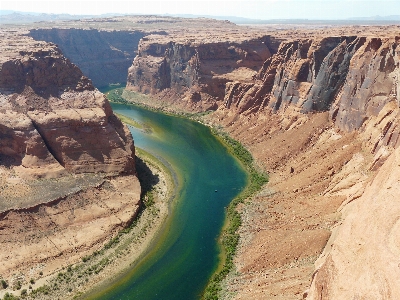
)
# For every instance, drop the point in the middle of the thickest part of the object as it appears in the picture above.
(190, 30)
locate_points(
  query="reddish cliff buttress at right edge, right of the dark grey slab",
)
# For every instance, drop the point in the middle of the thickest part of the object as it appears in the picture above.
(372, 81)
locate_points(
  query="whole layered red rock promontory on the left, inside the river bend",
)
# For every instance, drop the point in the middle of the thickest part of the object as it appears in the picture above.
(63, 153)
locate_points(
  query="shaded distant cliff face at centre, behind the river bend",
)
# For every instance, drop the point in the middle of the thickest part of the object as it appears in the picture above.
(197, 72)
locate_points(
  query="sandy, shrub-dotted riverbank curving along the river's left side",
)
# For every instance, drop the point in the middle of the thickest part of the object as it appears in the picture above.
(119, 254)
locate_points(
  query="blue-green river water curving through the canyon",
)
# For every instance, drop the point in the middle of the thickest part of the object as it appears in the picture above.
(186, 253)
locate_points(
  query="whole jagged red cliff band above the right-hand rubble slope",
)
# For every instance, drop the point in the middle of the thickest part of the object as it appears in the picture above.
(352, 78)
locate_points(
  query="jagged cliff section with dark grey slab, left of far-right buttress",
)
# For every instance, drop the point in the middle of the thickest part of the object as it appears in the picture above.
(305, 73)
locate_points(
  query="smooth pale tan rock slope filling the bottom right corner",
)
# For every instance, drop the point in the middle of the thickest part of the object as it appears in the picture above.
(361, 259)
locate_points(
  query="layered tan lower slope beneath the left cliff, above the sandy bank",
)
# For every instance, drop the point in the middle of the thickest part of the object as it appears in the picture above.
(46, 237)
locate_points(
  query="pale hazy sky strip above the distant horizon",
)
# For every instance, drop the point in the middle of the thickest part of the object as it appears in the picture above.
(255, 9)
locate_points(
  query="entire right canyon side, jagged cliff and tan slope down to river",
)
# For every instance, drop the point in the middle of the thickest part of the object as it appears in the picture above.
(321, 117)
